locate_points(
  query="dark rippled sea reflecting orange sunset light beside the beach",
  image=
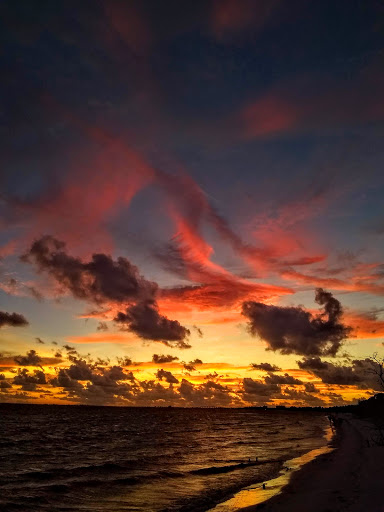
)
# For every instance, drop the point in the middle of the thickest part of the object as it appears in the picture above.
(79, 458)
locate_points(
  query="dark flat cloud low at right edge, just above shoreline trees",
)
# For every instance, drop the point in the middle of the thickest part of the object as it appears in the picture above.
(358, 373)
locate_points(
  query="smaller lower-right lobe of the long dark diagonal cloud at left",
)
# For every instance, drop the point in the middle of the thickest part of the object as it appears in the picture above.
(145, 320)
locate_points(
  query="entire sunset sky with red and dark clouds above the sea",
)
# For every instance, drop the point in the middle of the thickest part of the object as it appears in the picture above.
(191, 202)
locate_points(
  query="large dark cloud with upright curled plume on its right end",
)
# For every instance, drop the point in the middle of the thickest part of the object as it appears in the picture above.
(293, 330)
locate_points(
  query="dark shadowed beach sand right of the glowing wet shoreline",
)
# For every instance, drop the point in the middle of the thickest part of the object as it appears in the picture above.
(350, 478)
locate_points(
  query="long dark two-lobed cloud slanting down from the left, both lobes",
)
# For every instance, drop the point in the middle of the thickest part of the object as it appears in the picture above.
(103, 280)
